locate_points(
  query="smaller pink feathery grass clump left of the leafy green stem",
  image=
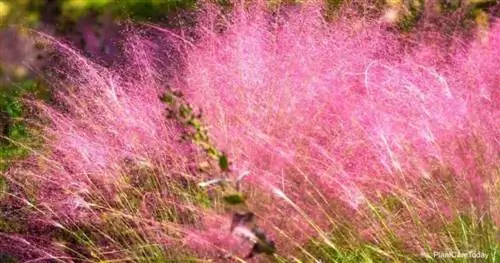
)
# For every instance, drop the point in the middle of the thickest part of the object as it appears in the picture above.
(109, 146)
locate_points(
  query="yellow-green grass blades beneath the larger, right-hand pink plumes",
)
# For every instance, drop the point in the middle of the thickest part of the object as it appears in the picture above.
(466, 232)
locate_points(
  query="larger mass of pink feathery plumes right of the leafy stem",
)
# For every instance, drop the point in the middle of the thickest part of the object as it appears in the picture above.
(329, 112)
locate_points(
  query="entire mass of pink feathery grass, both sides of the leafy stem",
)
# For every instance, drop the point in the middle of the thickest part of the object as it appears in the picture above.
(356, 141)
